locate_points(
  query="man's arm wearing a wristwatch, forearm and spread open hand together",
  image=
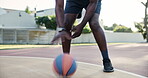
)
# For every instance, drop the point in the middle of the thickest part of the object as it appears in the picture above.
(59, 10)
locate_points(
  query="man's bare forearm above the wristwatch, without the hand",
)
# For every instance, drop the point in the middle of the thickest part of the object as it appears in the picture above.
(59, 10)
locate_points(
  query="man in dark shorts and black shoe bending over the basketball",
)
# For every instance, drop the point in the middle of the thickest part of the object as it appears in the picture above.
(65, 20)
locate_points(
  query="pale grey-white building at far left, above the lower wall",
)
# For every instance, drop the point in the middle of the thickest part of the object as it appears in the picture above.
(16, 19)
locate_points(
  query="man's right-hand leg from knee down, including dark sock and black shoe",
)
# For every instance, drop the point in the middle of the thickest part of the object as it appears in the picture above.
(101, 41)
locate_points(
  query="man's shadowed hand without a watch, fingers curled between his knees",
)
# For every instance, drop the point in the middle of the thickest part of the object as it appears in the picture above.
(77, 31)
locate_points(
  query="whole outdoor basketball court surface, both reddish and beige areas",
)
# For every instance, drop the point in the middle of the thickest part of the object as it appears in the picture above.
(131, 59)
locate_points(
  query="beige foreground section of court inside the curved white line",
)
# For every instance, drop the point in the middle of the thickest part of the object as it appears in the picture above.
(34, 67)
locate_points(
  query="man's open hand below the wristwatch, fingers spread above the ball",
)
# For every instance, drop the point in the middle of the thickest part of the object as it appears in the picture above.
(63, 34)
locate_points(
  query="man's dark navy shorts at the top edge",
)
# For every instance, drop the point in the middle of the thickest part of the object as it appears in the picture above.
(76, 6)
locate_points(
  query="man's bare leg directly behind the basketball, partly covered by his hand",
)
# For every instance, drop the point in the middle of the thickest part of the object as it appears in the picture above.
(69, 21)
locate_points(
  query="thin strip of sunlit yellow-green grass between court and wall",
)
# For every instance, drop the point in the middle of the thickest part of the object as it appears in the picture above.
(16, 46)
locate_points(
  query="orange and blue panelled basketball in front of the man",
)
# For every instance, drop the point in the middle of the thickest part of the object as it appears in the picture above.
(64, 65)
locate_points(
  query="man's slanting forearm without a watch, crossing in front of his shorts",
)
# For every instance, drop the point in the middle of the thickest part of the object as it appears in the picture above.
(89, 12)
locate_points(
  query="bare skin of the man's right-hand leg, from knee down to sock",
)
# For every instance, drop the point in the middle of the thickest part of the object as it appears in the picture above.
(98, 33)
